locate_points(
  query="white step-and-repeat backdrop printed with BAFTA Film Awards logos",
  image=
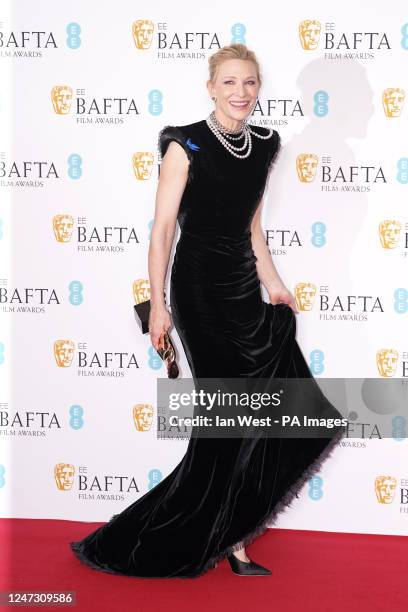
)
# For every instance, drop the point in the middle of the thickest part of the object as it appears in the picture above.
(85, 90)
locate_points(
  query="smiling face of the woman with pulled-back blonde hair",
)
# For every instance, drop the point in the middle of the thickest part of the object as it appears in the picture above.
(236, 88)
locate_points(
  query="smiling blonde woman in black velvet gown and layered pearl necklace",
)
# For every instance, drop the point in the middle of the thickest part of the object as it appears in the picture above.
(224, 492)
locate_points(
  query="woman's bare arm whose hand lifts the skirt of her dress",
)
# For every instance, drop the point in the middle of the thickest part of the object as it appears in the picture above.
(265, 267)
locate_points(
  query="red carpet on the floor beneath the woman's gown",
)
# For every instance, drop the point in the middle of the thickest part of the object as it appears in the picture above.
(312, 571)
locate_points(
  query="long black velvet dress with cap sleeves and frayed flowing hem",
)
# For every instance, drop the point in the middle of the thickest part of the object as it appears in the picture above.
(224, 492)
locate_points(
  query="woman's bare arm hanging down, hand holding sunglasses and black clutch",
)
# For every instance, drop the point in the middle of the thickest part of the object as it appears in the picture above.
(170, 188)
